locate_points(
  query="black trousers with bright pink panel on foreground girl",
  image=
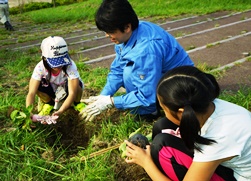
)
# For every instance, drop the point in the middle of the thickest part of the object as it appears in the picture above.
(171, 156)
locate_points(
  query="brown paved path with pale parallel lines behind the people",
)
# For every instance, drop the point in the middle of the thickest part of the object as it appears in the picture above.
(218, 41)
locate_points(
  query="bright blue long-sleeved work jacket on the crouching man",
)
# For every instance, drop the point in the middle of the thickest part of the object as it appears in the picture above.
(139, 64)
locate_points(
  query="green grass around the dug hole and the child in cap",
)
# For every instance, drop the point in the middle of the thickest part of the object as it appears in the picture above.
(22, 151)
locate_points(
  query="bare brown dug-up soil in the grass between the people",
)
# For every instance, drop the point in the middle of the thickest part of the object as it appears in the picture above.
(75, 133)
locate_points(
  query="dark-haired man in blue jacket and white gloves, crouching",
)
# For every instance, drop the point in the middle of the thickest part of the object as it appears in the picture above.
(144, 52)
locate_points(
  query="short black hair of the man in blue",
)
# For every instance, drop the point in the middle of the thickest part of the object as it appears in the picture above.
(114, 15)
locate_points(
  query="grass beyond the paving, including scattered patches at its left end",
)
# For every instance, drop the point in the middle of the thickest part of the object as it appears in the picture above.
(81, 15)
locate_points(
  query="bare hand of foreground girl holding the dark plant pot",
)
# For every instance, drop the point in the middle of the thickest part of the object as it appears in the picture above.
(137, 155)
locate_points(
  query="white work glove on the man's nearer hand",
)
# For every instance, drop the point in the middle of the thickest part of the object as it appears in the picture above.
(102, 103)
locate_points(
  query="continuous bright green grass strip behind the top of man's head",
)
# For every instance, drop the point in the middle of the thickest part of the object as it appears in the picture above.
(84, 11)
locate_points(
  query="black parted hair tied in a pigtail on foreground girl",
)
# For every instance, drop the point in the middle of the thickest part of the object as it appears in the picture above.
(189, 88)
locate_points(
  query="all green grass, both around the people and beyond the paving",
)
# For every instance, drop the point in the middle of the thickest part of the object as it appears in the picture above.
(27, 155)
